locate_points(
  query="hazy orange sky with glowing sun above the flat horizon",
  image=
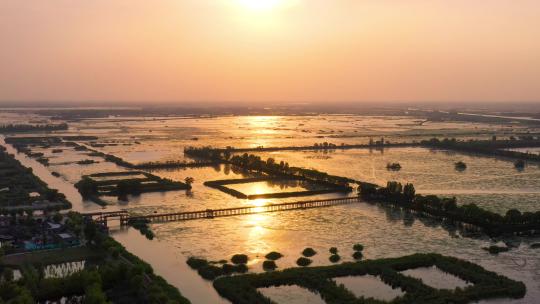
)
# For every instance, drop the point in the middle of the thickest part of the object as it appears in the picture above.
(274, 50)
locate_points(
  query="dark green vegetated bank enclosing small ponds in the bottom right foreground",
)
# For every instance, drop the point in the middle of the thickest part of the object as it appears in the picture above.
(243, 289)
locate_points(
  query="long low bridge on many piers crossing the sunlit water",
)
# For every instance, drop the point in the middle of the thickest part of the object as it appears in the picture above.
(124, 217)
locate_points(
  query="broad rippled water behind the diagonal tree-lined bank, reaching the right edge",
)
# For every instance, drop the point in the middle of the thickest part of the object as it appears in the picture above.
(491, 183)
